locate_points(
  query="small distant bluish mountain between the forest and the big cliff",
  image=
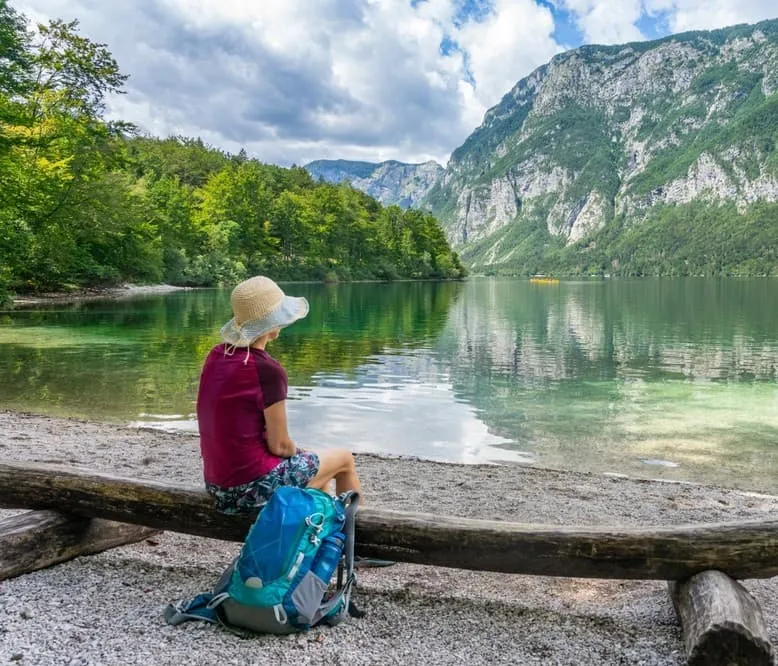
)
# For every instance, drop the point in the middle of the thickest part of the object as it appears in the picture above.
(390, 182)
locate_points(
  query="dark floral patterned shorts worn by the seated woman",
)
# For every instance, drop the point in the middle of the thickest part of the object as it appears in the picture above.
(250, 497)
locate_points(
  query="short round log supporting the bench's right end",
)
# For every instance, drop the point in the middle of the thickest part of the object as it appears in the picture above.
(722, 623)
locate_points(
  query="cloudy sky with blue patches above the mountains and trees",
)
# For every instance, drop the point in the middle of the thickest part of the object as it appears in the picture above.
(298, 80)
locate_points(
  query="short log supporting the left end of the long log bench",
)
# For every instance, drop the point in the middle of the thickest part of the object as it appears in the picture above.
(37, 539)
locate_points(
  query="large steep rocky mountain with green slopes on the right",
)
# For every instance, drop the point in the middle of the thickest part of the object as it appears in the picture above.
(649, 158)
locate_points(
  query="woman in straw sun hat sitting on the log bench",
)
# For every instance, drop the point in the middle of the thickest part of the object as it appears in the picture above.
(241, 409)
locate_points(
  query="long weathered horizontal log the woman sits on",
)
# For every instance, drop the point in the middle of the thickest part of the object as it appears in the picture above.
(742, 550)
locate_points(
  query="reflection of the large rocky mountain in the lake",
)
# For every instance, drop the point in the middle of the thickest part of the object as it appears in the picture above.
(700, 330)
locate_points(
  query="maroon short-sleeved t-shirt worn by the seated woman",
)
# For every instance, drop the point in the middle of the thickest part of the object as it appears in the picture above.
(234, 390)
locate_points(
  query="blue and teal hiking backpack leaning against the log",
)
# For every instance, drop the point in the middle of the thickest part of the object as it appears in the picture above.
(282, 580)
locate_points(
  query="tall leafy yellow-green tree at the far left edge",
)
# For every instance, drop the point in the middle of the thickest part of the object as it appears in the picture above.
(57, 151)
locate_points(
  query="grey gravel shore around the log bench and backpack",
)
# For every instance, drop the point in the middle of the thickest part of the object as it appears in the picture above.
(106, 609)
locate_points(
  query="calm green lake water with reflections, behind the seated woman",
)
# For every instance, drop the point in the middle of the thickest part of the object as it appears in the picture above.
(656, 378)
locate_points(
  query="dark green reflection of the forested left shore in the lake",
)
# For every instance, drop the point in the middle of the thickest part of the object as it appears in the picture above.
(118, 359)
